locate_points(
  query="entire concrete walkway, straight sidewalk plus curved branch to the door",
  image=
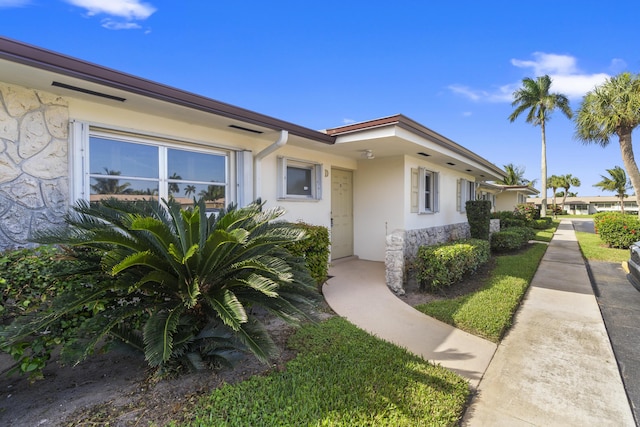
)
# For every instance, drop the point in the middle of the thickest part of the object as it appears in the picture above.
(554, 368)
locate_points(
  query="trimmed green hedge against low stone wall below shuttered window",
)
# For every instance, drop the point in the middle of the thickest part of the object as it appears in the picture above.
(442, 265)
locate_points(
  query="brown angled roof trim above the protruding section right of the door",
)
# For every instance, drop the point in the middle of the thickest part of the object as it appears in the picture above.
(415, 127)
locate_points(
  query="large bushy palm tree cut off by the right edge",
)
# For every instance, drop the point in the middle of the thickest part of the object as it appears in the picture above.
(613, 108)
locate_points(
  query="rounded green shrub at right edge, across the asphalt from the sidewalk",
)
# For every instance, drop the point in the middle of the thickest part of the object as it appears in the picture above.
(617, 230)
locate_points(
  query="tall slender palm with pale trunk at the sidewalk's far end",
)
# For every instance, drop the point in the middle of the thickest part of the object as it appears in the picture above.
(535, 96)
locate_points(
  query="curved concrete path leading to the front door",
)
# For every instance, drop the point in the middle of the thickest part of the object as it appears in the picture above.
(358, 292)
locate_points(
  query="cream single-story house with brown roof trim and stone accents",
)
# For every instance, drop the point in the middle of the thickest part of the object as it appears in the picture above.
(71, 130)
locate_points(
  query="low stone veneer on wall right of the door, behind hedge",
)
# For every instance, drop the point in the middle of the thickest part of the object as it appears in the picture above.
(402, 247)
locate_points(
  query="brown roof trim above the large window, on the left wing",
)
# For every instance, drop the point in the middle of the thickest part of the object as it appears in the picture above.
(36, 57)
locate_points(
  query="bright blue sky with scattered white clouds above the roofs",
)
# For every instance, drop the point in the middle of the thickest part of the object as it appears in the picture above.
(451, 66)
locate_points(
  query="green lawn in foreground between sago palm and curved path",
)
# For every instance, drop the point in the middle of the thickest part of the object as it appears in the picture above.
(342, 376)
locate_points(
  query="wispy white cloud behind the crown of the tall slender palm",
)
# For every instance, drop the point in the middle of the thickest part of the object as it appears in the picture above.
(566, 76)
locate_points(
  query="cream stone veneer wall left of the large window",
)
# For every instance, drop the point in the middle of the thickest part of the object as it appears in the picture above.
(34, 185)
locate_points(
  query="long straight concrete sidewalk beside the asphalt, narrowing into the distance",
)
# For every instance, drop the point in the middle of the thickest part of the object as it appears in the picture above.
(555, 367)
